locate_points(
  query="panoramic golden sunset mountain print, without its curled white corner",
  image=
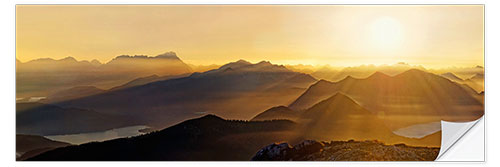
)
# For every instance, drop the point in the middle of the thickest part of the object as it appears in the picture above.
(244, 82)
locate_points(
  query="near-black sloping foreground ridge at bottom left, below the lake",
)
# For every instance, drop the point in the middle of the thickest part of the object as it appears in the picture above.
(206, 138)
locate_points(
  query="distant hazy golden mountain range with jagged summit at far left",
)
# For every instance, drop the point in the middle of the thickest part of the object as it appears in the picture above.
(42, 77)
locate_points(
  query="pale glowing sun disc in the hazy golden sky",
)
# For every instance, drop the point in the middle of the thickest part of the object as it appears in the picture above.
(385, 33)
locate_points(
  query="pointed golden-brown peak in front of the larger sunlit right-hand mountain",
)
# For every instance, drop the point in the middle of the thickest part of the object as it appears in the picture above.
(340, 118)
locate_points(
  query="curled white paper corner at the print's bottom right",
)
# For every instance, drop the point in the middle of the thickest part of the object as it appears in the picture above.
(453, 133)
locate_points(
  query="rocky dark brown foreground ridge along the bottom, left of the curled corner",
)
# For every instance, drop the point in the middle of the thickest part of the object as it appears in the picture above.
(311, 150)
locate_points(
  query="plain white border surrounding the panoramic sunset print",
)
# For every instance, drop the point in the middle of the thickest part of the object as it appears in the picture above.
(7, 100)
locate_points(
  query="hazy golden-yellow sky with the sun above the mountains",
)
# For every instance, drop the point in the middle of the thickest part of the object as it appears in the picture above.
(433, 36)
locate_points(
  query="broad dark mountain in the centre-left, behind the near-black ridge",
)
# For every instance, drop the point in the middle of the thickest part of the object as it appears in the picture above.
(222, 91)
